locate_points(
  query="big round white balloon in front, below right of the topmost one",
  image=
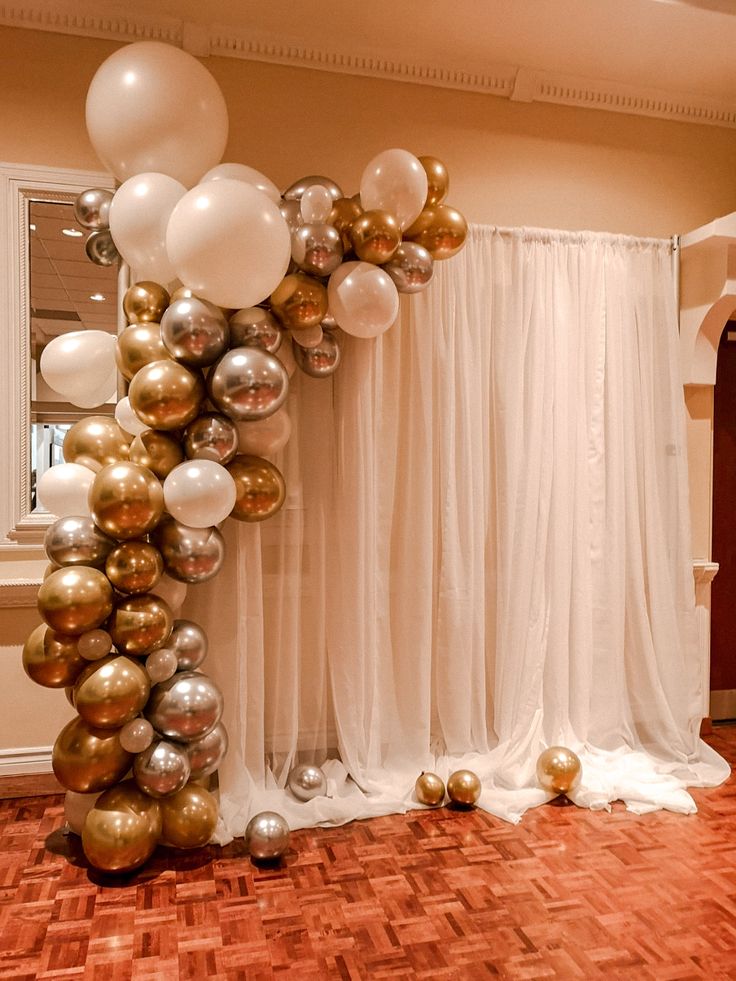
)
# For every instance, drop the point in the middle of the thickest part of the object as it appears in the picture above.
(228, 243)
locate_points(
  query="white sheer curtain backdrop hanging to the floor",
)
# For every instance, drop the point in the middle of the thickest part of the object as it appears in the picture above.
(485, 550)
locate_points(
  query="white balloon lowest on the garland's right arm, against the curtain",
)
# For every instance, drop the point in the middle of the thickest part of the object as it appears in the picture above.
(362, 298)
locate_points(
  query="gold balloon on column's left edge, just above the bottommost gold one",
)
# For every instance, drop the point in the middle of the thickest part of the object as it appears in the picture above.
(87, 759)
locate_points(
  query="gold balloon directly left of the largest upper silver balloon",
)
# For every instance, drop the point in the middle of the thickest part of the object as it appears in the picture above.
(166, 394)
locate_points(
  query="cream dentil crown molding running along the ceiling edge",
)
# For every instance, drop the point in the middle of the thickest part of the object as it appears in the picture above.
(518, 83)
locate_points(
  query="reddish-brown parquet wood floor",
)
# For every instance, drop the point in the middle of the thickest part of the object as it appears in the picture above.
(436, 894)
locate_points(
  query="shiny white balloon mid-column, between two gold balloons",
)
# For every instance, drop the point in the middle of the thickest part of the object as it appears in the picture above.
(199, 493)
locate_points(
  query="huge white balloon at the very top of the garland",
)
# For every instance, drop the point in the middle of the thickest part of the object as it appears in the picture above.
(153, 107)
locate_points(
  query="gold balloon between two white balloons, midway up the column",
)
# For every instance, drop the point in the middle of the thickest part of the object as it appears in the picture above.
(126, 500)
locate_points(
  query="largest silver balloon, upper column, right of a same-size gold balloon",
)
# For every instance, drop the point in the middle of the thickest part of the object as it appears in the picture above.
(247, 384)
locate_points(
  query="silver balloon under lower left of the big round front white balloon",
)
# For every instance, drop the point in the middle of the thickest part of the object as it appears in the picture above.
(194, 331)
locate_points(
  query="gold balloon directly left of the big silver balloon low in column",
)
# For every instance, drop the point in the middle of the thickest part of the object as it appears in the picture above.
(111, 691)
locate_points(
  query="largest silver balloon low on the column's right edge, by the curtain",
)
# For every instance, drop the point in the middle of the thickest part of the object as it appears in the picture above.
(185, 707)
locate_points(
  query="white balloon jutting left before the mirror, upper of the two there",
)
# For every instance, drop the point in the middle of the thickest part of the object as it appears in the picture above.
(80, 366)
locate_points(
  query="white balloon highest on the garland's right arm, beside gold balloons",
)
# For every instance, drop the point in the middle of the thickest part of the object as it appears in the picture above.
(395, 181)
